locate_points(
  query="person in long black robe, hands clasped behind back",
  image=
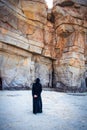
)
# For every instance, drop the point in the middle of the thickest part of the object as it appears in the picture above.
(36, 93)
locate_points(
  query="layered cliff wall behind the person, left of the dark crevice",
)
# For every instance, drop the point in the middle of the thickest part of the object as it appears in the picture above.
(24, 47)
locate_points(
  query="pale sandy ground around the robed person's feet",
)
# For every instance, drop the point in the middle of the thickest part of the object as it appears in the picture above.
(61, 111)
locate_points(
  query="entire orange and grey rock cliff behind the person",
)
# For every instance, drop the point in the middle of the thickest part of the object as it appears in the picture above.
(37, 42)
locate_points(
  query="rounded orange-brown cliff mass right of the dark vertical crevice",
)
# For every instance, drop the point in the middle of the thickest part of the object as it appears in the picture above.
(70, 25)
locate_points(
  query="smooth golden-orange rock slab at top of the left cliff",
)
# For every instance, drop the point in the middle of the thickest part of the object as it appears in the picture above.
(34, 10)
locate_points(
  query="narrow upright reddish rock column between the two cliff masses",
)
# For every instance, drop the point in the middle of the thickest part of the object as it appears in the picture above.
(49, 35)
